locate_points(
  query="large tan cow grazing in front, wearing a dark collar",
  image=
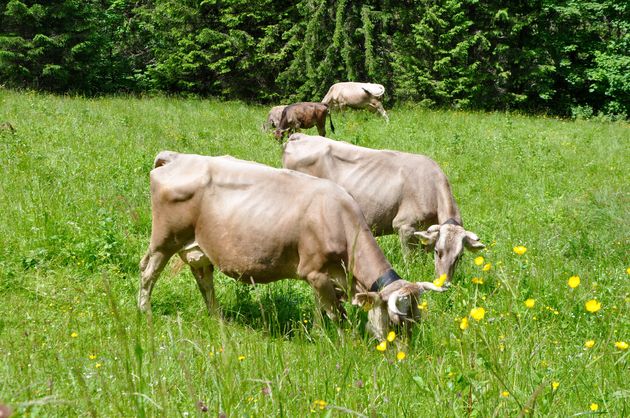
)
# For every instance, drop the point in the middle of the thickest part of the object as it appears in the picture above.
(259, 224)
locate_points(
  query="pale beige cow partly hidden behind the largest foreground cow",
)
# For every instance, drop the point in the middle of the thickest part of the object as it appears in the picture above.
(397, 192)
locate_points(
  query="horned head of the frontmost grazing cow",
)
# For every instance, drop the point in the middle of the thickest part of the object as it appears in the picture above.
(397, 304)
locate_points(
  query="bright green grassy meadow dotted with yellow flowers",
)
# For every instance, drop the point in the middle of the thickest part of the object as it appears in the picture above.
(76, 220)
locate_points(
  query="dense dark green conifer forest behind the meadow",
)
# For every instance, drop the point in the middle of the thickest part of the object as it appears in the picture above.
(563, 57)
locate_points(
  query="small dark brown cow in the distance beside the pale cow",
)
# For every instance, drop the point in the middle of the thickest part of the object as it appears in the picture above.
(303, 115)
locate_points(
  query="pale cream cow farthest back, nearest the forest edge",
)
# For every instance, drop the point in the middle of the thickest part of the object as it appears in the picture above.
(357, 96)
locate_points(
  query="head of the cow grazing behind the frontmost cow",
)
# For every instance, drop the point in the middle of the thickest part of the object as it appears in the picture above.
(448, 242)
